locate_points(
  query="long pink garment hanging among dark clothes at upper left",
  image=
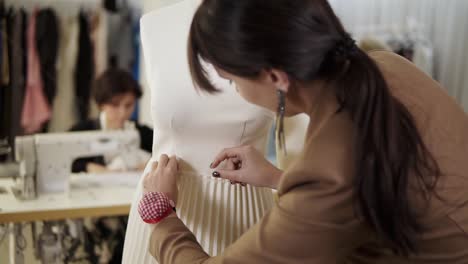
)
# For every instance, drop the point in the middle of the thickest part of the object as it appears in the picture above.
(36, 111)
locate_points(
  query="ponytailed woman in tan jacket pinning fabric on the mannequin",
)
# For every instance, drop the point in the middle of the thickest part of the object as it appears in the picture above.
(383, 175)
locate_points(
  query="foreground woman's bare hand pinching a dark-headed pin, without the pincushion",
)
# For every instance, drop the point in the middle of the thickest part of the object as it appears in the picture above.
(250, 167)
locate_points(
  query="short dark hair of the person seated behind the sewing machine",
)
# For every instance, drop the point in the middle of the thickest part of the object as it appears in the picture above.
(114, 82)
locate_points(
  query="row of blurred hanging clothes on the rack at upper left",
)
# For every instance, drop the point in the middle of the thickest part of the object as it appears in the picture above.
(74, 42)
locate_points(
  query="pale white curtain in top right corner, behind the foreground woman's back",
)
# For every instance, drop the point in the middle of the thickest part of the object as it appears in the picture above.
(444, 22)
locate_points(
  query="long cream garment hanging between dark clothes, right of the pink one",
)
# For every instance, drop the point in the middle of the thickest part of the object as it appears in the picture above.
(64, 111)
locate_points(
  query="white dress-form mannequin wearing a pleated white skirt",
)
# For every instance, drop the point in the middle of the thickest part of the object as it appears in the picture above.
(195, 127)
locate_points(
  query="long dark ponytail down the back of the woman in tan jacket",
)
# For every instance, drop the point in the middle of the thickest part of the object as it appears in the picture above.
(390, 153)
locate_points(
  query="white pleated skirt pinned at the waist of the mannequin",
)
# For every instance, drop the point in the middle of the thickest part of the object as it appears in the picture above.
(217, 212)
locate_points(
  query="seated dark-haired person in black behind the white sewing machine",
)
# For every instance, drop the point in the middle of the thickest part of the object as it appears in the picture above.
(116, 93)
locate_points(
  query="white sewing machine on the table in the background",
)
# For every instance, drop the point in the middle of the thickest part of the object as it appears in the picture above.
(44, 161)
